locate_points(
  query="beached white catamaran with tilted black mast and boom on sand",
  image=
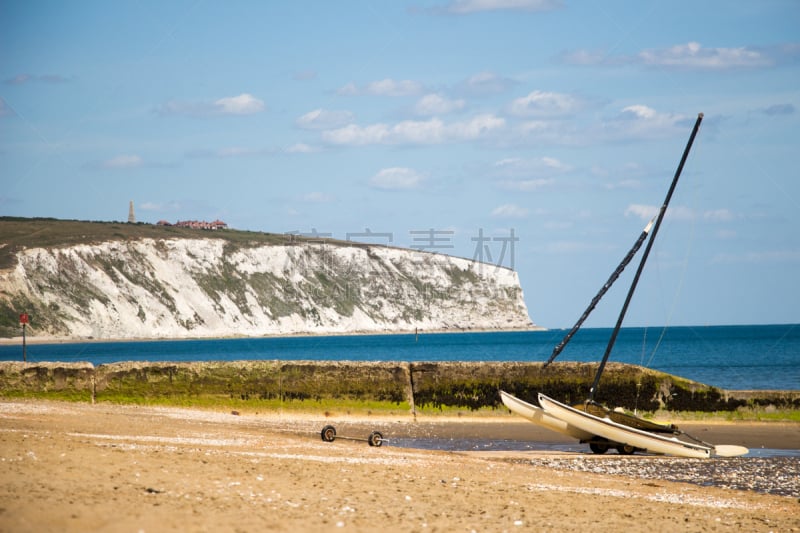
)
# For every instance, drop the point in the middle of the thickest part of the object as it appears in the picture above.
(595, 424)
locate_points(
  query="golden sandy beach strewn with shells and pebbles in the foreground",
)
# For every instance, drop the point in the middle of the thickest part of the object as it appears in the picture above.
(82, 467)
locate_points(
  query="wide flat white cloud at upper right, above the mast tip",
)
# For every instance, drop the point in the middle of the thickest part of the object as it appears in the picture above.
(693, 55)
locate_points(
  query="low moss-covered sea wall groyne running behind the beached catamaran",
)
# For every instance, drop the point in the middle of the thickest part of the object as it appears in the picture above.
(398, 386)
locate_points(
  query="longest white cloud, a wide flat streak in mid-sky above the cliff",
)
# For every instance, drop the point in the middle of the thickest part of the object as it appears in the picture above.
(433, 131)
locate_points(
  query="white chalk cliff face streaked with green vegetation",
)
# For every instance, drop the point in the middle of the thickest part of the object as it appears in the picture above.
(178, 288)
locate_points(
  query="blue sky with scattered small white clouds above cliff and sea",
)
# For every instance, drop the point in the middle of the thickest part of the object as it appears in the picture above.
(538, 135)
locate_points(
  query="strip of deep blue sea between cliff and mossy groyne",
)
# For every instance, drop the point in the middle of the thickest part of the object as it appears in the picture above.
(730, 357)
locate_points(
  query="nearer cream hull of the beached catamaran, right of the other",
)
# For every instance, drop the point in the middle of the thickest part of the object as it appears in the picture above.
(608, 429)
